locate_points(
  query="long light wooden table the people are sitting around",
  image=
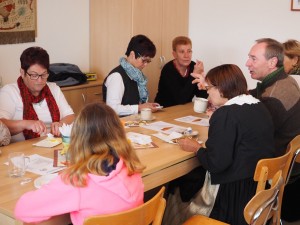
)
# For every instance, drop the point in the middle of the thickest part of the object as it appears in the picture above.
(163, 164)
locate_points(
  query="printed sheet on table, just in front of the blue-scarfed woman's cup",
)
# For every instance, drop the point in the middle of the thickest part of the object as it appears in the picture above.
(164, 127)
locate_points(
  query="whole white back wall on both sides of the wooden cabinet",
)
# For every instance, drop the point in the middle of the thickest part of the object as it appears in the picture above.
(222, 32)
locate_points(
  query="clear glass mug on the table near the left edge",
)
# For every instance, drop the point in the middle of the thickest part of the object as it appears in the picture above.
(17, 164)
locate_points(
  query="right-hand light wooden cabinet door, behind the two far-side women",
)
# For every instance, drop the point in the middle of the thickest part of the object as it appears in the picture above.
(161, 21)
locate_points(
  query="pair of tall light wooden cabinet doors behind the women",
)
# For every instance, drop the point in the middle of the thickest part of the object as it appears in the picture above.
(114, 22)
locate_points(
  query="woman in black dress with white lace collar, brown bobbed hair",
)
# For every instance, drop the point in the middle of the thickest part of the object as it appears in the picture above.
(240, 134)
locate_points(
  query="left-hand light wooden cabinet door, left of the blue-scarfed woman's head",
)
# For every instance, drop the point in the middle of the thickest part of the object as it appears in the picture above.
(110, 32)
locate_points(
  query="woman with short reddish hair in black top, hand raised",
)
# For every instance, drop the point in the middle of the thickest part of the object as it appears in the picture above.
(175, 84)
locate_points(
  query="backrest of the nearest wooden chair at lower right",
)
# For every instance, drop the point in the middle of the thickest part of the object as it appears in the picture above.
(263, 205)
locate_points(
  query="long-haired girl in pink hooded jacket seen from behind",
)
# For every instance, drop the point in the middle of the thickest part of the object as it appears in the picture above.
(104, 175)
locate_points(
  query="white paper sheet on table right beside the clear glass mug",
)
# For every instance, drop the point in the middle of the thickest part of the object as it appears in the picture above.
(41, 165)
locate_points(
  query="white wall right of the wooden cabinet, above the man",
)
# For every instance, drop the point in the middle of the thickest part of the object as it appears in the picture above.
(224, 31)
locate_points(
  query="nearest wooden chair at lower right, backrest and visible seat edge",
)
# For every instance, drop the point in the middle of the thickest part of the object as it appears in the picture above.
(258, 210)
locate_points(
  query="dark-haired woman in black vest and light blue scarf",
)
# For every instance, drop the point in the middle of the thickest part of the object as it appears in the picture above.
(125, 88)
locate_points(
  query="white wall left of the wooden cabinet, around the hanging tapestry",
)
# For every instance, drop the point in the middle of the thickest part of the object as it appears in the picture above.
(63, 30)
